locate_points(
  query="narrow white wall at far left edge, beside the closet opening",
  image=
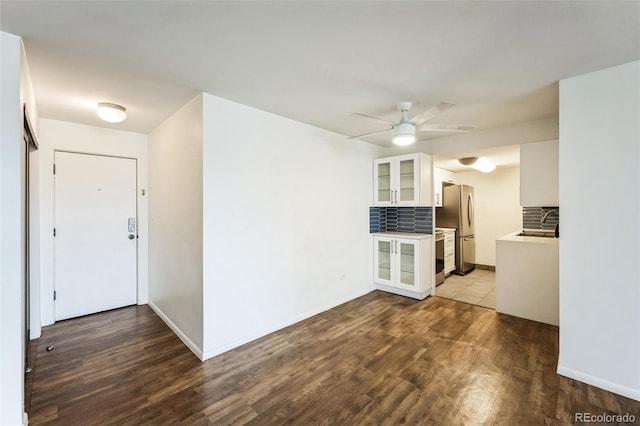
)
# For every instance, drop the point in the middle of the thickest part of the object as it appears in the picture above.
(15, 90)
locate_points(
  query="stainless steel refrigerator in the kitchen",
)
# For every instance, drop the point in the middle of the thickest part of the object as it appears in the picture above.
(457, 212)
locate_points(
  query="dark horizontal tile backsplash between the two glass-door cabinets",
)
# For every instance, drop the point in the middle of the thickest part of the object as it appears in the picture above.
(401, 219)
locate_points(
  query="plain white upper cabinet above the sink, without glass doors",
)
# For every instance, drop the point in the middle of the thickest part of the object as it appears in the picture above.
(539, 174)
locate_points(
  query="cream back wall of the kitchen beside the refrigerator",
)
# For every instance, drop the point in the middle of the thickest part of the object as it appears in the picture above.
(497, 208)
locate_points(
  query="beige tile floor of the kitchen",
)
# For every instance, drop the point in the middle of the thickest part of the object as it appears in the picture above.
(477, 288)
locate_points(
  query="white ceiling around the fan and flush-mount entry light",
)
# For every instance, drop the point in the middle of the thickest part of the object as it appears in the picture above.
(317, 62)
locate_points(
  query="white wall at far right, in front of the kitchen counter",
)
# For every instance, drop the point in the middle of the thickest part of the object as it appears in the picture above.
(600, 239)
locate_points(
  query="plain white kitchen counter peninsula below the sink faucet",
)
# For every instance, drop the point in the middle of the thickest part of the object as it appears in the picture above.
(527, 277)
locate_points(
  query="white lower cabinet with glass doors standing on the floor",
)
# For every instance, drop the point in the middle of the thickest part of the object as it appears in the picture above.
(403, 264)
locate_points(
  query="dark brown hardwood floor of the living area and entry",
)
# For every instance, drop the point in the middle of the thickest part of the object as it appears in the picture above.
(379, 359)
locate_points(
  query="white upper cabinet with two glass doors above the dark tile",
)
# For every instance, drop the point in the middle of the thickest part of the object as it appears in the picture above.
(403, 181)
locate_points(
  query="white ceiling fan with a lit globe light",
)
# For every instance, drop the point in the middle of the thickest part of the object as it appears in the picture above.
(404, 131)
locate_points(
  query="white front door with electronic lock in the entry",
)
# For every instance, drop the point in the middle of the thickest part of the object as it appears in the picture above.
(95, 234)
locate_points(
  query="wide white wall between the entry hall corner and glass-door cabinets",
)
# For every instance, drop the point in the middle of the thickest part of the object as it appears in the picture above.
(285, 222)
